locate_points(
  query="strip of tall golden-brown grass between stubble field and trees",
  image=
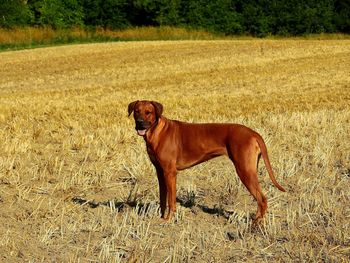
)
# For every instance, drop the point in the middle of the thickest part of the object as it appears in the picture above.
(30, 37)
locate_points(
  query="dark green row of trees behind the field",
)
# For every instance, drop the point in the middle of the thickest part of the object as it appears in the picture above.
(230, 17)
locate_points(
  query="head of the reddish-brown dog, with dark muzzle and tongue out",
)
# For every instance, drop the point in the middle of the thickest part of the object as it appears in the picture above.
(146, 114)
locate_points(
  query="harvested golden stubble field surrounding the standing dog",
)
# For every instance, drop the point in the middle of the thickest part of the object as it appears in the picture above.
(76, 184)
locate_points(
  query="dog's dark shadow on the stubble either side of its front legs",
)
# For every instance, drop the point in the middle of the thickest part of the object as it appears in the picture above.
(143, 208)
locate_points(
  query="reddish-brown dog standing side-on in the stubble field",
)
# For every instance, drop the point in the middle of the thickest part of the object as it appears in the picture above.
(174, 145)
